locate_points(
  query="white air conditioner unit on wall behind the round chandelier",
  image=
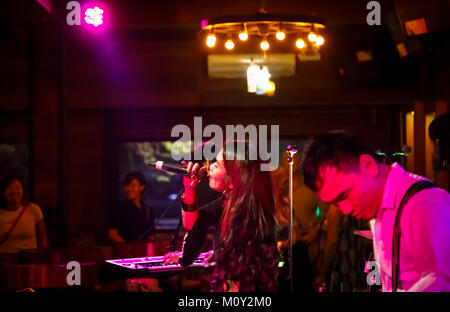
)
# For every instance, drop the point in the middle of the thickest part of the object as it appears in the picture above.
(235, 65)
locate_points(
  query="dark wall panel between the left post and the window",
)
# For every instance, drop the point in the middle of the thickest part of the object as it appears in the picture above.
(86, 189)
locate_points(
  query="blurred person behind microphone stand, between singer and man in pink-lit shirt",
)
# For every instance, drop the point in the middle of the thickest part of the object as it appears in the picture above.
(316, 229)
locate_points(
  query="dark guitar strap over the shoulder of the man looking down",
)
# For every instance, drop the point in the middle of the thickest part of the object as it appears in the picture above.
(412, 190)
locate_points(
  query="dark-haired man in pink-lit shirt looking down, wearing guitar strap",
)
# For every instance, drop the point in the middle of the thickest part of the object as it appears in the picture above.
(409, 216)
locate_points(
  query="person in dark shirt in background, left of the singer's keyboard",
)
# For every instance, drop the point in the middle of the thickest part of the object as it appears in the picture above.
(132, 217)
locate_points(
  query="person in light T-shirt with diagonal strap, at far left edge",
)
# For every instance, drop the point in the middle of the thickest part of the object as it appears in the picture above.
(21, 223)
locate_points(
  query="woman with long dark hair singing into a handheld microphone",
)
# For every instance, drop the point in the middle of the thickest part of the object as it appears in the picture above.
(247, 256)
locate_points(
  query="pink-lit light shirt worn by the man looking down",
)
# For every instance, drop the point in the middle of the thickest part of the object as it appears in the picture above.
(425, 239)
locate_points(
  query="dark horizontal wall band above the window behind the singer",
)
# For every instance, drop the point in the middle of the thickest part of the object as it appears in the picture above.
(373, 124)
